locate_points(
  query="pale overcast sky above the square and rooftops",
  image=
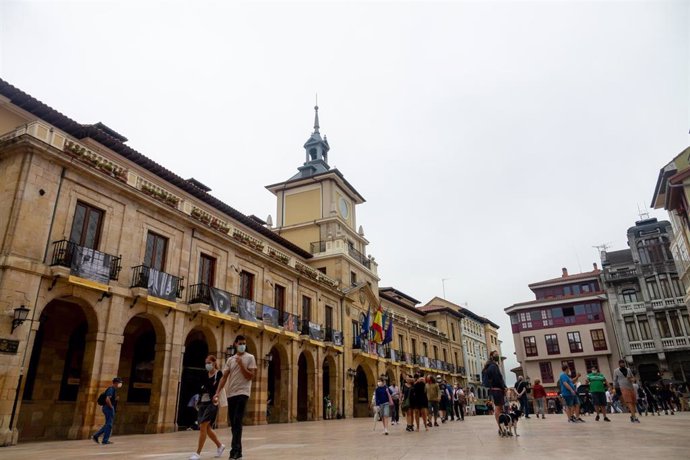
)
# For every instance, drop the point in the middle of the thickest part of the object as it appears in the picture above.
(495, 142)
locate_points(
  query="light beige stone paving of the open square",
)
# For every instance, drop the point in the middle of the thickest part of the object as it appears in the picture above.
(475, 438)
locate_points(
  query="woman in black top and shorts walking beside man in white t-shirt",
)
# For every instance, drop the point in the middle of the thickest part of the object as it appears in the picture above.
(208, 408)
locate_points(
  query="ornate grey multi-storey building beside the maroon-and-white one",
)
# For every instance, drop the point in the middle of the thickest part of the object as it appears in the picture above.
(647, 303)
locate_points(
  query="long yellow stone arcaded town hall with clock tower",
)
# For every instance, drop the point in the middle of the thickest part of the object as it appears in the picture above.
(125, 268)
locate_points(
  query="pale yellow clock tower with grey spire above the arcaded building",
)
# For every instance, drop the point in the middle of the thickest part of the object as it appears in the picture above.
(316, 210)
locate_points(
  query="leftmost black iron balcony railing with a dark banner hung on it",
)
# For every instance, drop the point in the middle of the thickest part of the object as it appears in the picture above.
(85, 262)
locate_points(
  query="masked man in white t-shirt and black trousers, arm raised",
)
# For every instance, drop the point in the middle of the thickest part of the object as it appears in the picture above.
(237, 378)
